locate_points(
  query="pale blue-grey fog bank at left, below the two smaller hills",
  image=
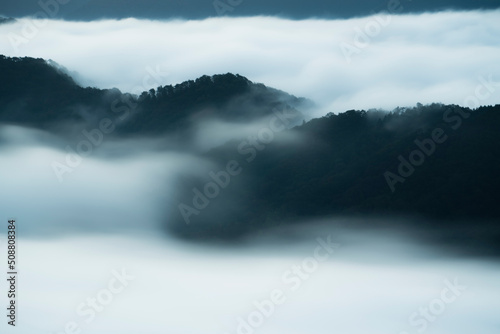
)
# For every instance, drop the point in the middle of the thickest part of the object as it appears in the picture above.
(120, 186)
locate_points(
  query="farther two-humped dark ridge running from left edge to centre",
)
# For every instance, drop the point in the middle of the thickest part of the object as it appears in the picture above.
(40, 93)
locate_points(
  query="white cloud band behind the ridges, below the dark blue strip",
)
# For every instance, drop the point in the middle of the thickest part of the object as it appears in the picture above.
(373, 62)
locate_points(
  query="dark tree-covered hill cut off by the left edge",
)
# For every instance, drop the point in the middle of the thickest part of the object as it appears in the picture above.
(34, 93)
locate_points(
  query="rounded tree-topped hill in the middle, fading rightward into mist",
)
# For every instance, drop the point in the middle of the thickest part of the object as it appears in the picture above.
(226, 97)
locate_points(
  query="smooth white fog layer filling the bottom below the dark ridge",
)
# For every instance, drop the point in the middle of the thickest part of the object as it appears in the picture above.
(390, 285)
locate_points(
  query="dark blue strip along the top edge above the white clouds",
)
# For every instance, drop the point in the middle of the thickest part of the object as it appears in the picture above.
(197, 9)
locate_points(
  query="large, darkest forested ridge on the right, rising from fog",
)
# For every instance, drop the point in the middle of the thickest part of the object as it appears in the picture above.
(437, 162)
